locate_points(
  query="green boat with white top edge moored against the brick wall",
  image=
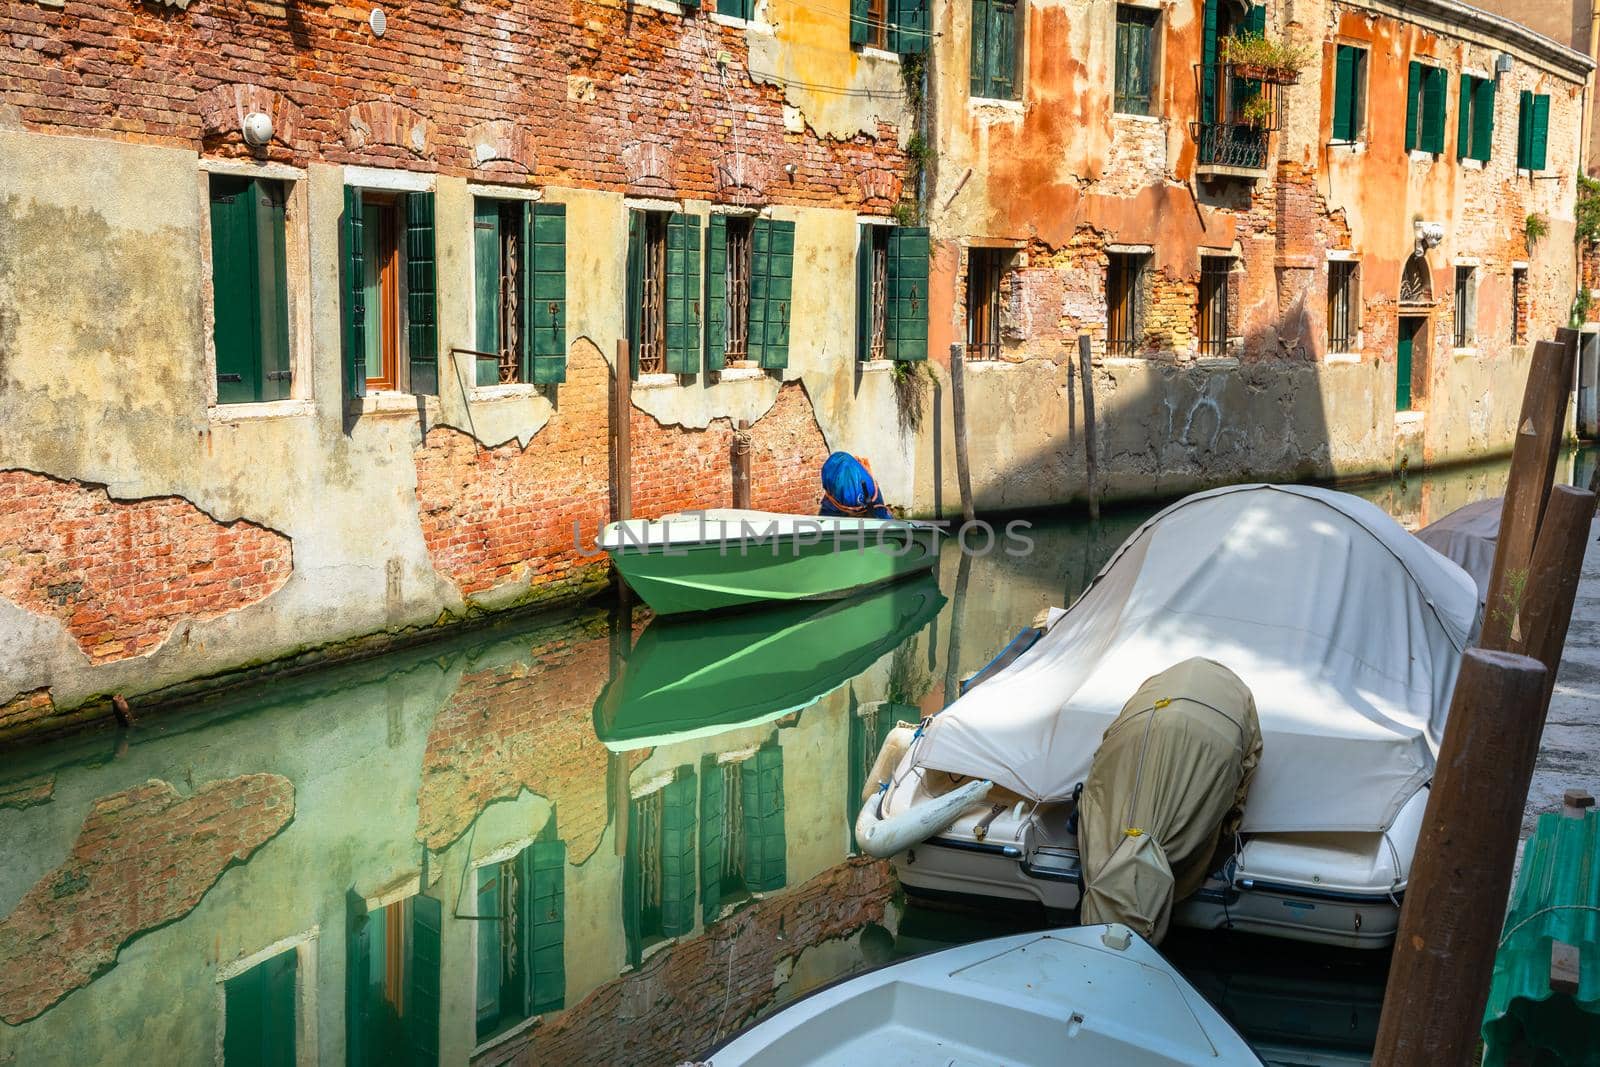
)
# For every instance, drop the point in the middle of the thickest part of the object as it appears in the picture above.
(729, 557)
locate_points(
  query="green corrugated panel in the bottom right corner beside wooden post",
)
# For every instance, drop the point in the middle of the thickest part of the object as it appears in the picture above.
(1558, 898)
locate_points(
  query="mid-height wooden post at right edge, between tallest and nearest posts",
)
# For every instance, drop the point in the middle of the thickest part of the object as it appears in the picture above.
(1553, 581)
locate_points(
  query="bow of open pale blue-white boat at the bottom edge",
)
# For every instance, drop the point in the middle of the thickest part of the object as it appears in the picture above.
(1084, 996)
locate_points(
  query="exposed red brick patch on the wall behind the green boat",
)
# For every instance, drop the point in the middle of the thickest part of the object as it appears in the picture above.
(492, 516)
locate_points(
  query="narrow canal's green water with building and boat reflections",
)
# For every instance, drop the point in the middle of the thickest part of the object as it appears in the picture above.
(566, 841)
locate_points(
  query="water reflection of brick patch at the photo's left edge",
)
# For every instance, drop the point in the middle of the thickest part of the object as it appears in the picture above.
(143, 858)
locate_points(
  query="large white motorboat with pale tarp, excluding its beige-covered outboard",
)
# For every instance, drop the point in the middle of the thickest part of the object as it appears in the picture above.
(1346, 629)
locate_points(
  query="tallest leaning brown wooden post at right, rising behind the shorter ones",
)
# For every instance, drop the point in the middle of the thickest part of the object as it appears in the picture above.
(1534, 458)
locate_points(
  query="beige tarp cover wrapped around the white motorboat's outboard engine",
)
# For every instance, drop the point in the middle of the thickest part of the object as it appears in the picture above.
(1167, 783)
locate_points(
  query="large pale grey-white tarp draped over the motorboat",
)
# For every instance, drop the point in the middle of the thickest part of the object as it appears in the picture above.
(1346, 629)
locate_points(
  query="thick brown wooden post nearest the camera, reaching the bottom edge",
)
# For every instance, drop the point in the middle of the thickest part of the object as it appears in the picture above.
(1439, 978)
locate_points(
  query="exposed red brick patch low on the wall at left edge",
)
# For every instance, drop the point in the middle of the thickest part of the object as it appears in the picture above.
(121, 575)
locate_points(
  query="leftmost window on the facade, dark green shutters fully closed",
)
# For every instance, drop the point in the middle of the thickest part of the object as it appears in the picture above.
(250, 290)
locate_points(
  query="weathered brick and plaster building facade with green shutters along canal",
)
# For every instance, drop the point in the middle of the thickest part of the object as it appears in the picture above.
(310, 313)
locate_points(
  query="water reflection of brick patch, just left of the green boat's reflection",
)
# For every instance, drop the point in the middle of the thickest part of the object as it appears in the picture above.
(527, 725)
